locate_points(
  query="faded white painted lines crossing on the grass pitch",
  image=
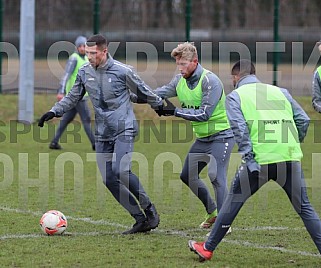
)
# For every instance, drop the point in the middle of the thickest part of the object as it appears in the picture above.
(186, 233)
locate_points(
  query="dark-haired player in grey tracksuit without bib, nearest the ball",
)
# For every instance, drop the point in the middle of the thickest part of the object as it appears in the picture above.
(107, 83)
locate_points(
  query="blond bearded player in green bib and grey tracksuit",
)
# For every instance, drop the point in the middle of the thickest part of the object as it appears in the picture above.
(202, 100)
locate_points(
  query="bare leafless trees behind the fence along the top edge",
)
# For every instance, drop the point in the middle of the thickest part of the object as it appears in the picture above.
(122, 15)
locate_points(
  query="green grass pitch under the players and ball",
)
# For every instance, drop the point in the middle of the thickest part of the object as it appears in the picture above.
(33, 179)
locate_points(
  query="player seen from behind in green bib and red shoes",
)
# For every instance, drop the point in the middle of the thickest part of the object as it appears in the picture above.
(268, 126)
